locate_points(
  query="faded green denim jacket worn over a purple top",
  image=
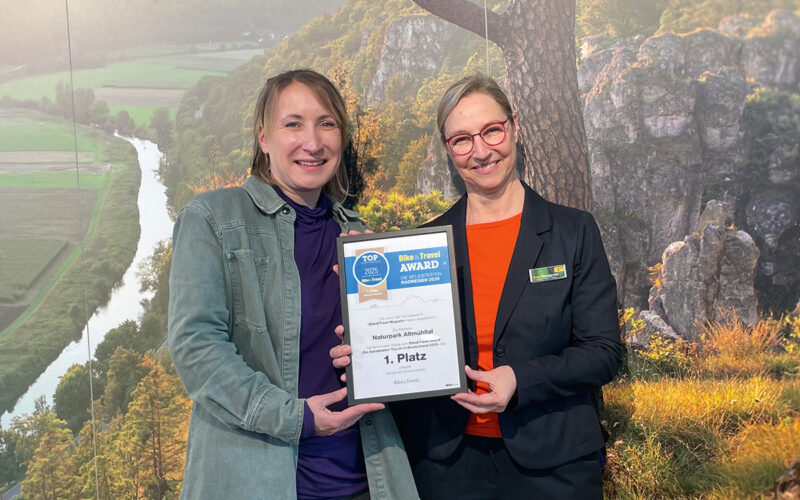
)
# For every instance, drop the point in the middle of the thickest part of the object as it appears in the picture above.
(234, 336)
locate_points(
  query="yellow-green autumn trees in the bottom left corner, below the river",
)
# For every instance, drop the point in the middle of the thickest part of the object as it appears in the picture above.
(140, 453)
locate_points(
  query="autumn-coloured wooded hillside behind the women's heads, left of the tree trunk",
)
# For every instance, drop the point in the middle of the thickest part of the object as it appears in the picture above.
(391, 98)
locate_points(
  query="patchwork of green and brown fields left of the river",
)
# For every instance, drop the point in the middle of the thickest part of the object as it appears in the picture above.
(37, 156)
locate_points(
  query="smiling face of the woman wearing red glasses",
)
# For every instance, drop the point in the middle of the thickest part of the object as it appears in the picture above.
(486, 170)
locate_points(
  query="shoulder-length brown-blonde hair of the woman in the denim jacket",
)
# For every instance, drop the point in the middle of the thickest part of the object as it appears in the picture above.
(328, 96)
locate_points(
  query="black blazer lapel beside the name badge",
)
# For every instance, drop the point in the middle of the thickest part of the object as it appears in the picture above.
(535, 221)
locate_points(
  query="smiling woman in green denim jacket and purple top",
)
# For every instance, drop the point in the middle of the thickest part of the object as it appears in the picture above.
(253, 305)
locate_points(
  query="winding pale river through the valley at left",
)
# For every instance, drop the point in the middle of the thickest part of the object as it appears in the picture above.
(125, 302)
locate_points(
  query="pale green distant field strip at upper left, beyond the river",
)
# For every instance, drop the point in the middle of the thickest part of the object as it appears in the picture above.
(125, 74)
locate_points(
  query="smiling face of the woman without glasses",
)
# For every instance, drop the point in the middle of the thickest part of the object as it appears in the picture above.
(303, 142)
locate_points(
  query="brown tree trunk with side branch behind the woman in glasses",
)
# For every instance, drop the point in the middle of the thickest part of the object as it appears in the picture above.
(538, 45)
